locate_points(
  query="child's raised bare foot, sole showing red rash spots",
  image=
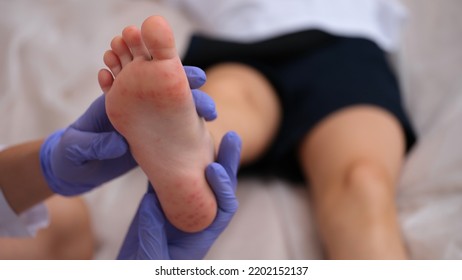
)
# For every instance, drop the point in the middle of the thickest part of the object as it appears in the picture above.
(149, 102)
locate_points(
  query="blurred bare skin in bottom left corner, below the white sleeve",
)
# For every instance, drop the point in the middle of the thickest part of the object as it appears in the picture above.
(68, 236)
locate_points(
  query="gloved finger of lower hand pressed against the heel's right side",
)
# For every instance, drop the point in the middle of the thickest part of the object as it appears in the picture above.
(222, 186)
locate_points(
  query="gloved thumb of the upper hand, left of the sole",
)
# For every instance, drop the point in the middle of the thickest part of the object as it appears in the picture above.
(85, 146)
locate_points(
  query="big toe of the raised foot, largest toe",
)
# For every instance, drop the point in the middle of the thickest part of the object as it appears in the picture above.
(158, 37)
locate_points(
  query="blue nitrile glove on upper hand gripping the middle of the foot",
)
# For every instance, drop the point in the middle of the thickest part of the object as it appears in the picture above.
(91, 152)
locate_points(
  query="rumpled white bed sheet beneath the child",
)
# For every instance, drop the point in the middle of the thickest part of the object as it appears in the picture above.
(50, 52)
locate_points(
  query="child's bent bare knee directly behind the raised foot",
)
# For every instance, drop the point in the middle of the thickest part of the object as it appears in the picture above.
(247, 104)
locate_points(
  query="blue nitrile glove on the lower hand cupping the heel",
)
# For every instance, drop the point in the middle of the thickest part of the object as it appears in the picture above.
(151, 236)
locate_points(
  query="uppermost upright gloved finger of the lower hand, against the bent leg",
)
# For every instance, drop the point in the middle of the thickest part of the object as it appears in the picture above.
(229, 154)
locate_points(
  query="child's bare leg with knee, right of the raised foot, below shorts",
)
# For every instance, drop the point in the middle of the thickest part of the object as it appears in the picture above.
(353, 159)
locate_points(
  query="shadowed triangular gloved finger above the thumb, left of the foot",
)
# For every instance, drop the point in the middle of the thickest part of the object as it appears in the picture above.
(95, 118)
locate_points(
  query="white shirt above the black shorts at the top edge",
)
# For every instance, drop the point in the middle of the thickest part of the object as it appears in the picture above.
(252, 20)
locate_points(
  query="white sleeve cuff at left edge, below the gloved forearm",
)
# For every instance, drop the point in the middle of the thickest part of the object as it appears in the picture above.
(25, 224)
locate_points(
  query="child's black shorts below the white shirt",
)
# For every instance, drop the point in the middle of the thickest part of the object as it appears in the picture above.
(314, 74)
